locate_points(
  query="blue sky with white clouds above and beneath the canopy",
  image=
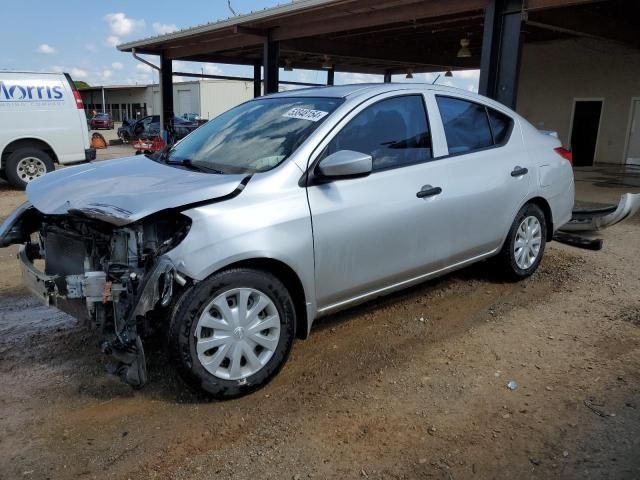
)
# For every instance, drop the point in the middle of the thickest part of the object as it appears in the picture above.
(80, 38)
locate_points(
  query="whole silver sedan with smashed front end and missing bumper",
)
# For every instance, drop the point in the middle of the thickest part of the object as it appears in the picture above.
(284, 209)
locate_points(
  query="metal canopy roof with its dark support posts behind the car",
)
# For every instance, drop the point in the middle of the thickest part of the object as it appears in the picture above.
(390, 36)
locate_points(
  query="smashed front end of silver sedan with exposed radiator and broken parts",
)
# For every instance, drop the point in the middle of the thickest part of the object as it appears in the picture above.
(116, 276)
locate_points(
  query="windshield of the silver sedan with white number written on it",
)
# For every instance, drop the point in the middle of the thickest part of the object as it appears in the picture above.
(253, 137)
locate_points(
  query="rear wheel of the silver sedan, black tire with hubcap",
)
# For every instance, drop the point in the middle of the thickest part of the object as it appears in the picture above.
(520, 262)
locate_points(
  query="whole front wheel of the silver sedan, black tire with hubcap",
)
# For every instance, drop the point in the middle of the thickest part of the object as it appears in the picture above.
(209, 346)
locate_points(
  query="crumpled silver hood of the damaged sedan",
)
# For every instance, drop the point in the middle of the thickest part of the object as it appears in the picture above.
(125, 190)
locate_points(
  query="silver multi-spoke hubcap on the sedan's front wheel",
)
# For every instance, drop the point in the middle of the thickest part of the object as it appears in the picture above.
(237, 333)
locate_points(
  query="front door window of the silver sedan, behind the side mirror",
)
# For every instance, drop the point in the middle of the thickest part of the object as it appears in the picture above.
(395, 132)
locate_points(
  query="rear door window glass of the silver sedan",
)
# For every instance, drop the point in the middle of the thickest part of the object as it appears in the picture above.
(470, 126)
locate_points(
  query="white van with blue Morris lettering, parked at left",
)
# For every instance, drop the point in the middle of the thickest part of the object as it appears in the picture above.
(42, 122)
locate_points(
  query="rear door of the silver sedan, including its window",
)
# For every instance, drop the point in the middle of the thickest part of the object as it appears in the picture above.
(486, 170)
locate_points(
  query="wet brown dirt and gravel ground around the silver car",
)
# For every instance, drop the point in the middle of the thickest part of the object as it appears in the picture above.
(412, 386)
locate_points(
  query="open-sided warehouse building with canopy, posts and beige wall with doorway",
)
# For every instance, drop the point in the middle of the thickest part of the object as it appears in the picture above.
(571, 66)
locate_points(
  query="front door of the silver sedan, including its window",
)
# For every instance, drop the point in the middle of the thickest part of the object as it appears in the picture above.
(375, 232)
